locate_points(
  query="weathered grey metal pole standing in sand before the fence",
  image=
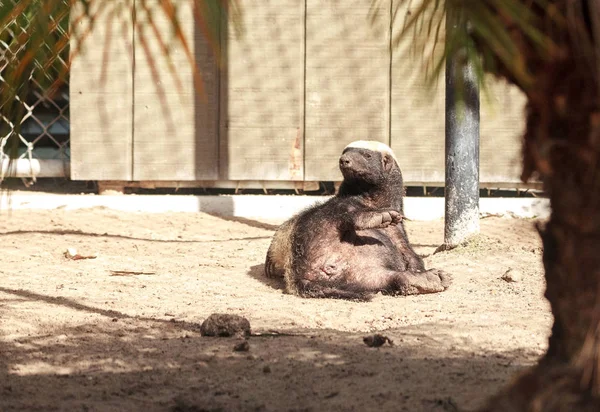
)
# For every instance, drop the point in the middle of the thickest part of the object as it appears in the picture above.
(462, 148)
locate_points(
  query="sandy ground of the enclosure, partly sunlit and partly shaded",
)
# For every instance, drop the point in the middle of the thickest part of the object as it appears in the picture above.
(73, 336)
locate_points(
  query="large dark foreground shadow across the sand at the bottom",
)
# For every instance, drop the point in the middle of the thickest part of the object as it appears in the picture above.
(151, 365)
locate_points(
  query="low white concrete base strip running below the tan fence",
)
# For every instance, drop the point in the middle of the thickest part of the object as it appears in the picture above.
(257, 206)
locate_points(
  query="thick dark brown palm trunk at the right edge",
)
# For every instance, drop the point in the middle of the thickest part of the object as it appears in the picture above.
(562, 146)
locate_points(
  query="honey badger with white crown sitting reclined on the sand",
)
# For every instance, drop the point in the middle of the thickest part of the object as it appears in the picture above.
(354, 244)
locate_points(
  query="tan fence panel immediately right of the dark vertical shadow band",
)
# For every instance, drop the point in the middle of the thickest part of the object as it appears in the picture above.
(261, 103)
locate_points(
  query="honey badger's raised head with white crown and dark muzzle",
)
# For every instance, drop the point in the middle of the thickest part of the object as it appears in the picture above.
(369, 161)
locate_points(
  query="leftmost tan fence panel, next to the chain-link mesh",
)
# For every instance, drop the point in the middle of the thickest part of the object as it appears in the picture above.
(101, 98)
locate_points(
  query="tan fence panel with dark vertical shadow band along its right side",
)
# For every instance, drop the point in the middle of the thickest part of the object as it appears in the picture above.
(175, 129)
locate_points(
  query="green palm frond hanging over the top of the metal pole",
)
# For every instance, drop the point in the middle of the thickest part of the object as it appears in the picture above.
(488, 33)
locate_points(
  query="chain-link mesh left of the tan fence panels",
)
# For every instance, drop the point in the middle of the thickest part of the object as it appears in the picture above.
(44, 132)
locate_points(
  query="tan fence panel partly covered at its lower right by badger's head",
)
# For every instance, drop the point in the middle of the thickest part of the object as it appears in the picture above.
(347, 81)
